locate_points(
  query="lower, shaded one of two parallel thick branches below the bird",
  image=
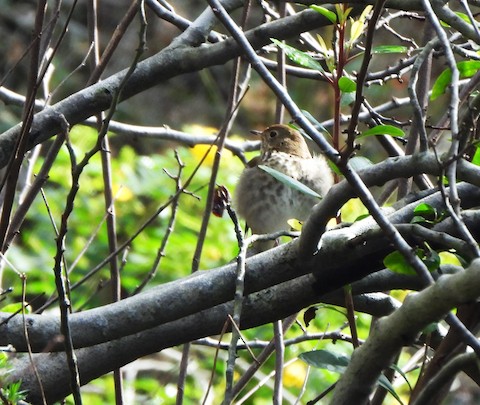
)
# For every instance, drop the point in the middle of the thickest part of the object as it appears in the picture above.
(259, 308)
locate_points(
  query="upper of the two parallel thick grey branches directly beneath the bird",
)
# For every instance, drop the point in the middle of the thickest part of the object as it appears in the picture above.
(361, 245)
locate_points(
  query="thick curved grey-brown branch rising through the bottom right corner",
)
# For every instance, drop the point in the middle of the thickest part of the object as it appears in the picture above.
(399, 329)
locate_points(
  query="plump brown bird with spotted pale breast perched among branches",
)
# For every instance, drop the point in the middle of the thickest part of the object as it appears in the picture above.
(267, 204)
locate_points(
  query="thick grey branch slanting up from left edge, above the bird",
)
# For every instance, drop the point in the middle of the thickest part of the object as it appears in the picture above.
(172, 61)
